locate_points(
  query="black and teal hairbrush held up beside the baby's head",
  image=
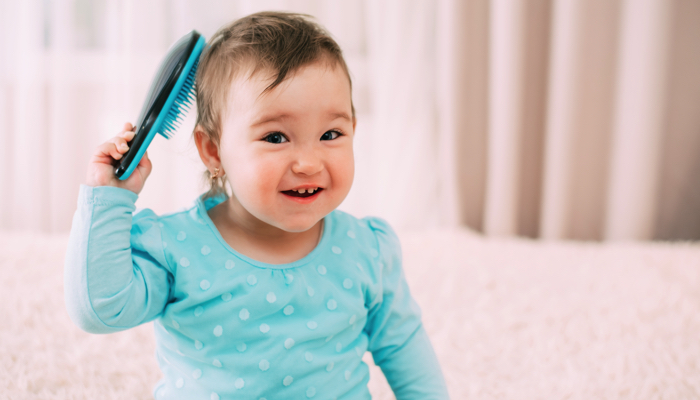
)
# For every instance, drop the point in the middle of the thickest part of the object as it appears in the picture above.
(171, 95)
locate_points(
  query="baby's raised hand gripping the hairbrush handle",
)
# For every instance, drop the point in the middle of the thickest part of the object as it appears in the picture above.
(101, 169)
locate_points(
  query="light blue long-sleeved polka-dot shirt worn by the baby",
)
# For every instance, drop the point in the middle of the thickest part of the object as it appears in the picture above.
(228, 326)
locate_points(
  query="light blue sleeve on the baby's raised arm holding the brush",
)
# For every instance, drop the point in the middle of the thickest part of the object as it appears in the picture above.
(116, 275)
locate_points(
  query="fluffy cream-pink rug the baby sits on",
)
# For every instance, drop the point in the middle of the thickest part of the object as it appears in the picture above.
(509, 319)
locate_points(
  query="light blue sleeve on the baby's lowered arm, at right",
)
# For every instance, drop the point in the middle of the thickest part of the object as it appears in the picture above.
(398, 342)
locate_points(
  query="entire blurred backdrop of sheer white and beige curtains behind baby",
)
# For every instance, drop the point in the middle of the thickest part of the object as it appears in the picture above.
(554, 119)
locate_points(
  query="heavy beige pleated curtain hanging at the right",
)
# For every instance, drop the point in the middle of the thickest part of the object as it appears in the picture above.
(575, 119)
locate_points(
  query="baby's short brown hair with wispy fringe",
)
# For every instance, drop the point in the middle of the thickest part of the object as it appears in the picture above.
(266, 41)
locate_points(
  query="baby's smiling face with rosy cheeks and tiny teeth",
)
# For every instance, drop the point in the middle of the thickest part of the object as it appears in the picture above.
(296, 137)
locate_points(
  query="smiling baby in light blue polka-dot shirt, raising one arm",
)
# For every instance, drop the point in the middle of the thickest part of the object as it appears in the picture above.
(262, 289)
